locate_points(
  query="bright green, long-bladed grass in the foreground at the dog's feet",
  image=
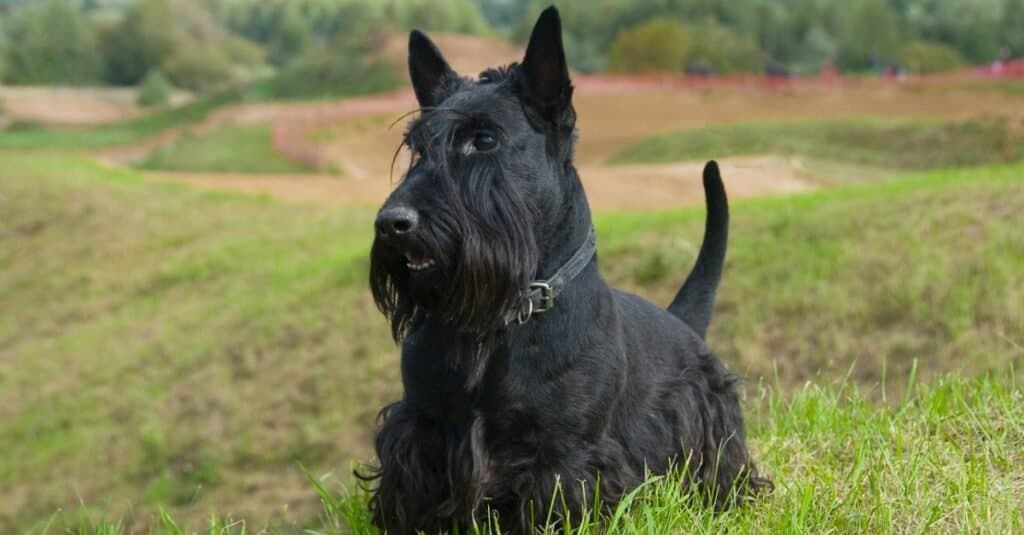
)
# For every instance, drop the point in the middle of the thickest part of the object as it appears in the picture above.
(944, 459)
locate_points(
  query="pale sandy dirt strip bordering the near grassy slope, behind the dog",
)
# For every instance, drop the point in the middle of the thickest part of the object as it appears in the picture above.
(658, 187)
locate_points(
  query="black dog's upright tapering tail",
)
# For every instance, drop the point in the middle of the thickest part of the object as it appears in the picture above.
(696, 300)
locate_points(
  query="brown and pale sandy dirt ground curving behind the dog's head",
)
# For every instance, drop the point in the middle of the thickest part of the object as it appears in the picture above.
(355, 136)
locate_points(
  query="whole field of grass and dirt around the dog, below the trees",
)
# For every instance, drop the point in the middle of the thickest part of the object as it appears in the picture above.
(178, 354)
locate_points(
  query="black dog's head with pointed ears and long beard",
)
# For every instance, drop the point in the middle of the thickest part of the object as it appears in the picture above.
(459, 237)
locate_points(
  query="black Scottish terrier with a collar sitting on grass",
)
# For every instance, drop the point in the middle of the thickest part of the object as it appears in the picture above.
(523, 369)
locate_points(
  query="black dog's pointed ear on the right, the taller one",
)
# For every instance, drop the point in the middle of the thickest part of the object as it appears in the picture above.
(547, 90)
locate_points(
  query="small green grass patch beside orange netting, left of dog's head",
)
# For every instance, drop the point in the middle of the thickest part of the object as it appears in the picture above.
(228, 149)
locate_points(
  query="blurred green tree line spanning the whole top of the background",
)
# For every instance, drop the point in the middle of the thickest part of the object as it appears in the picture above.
(201, 45)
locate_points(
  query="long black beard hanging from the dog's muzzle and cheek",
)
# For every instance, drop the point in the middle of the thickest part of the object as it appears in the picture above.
(482, 241)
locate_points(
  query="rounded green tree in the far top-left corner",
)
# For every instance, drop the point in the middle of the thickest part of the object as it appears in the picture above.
(50, 44)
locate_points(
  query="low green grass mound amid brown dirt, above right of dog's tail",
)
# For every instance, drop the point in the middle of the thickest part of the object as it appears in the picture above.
(903, 145)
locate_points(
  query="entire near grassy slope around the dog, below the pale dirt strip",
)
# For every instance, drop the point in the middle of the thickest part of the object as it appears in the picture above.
(163, 349)
